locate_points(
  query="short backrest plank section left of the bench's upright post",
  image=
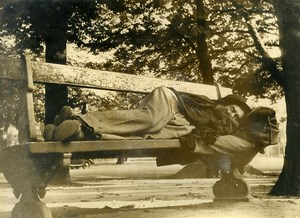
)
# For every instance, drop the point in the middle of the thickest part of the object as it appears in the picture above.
(12, 68)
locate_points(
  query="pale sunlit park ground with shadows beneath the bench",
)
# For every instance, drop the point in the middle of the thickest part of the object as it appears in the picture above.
(140, 189)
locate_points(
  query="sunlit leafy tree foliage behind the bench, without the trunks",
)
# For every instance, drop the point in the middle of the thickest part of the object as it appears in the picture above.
(155, 37)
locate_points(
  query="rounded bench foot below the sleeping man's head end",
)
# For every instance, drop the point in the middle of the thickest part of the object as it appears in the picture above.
(230, 187)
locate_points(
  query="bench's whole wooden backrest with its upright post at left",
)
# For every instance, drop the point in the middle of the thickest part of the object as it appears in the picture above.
(39, 72)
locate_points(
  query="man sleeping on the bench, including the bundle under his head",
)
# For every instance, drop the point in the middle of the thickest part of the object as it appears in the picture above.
(227, 127)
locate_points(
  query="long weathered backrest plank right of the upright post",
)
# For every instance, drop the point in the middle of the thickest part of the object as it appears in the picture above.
(83, 77)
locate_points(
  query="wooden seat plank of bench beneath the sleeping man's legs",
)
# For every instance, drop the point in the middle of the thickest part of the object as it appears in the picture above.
(93, 146)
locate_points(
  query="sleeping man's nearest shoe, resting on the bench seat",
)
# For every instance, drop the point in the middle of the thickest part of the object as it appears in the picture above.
(67, 130)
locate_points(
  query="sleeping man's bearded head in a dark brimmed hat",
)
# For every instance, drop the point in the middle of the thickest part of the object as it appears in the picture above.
(234, 106)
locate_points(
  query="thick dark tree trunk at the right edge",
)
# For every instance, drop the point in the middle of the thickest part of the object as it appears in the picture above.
(288, 14)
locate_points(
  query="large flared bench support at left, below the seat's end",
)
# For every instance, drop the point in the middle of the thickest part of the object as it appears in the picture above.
(29, 176)
